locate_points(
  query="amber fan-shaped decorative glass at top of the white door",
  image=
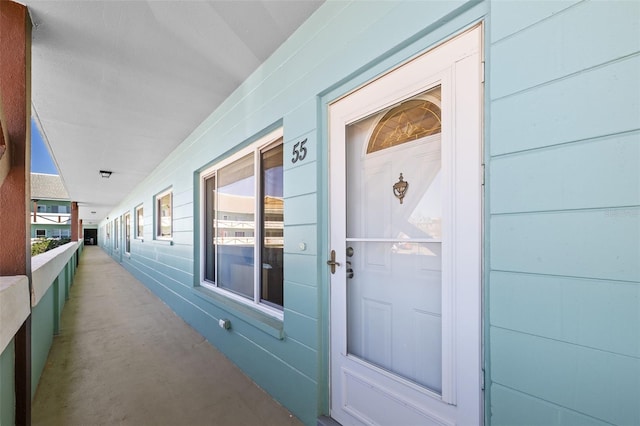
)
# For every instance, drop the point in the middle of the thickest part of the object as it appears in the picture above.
(411, 120)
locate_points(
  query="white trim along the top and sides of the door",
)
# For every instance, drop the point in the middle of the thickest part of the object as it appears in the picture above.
(461, 201)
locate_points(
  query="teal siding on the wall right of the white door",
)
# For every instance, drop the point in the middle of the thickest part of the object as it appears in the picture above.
(563, 213)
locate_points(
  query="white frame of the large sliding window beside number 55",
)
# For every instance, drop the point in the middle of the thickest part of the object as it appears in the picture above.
(263, 144)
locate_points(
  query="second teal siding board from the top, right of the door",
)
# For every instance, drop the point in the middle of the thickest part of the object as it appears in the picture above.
(564, 44)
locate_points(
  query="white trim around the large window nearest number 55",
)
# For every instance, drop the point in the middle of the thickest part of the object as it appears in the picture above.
(262, 144)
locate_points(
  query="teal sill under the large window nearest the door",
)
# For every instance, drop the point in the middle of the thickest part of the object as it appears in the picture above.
(260, 320)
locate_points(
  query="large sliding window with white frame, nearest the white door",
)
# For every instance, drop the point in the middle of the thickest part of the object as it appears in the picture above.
(243, 225)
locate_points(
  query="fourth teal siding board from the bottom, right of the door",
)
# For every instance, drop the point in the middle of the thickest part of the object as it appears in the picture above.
(602, 244)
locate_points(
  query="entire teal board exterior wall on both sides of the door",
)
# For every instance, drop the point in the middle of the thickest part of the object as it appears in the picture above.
(561, 216)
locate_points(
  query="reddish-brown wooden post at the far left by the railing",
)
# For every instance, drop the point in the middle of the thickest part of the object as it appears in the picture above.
(15, 192)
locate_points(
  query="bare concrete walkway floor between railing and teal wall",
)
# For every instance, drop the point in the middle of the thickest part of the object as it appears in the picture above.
(123, 357)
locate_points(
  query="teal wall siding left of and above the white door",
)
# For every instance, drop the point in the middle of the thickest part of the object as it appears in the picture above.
(340, 41)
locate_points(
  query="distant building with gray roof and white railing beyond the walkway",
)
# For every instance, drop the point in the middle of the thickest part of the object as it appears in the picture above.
(50, 207)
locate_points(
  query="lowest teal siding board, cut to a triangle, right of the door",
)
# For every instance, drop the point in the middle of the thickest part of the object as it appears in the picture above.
(512, 408)
